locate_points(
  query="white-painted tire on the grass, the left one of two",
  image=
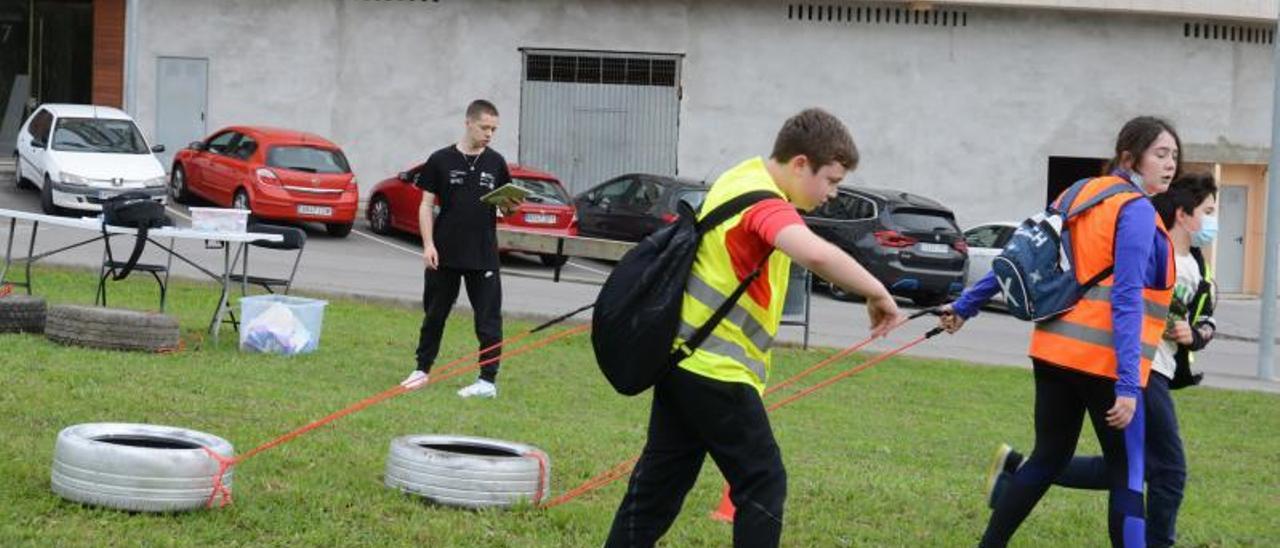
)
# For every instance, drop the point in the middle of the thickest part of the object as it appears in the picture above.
(143, 479)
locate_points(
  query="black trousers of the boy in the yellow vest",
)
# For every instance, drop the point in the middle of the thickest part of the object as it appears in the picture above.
(692, 417)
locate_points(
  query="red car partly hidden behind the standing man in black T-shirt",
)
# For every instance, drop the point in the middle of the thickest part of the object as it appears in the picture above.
(394, 205)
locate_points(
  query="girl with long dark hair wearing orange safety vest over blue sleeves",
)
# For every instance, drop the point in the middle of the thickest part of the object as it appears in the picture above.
(1096, 358)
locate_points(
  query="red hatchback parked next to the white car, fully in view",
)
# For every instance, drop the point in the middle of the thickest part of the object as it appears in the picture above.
(278, 175)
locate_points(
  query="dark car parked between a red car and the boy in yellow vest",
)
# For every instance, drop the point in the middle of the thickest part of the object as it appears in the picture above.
(632, 207)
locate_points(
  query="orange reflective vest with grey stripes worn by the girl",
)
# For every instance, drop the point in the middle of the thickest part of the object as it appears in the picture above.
(1082, 339)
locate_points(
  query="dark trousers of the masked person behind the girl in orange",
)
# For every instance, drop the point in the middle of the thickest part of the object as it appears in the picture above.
(1167, 465)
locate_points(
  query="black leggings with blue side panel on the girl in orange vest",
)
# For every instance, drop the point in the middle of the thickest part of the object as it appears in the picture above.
(1063, 398)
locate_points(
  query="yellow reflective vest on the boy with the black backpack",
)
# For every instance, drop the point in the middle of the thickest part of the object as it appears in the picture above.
(738, 350)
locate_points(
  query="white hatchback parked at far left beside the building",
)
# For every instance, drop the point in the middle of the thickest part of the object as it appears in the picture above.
(79, 156)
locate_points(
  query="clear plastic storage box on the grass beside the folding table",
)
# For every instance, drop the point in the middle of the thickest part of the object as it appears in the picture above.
(281, 325)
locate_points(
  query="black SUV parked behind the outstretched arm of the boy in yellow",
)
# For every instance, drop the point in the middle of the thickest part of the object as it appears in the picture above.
(909, 243)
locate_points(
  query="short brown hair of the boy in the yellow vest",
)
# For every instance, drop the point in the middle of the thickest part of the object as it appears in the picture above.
(820, 136)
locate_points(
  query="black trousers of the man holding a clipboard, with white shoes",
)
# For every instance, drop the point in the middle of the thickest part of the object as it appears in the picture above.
(440, 294)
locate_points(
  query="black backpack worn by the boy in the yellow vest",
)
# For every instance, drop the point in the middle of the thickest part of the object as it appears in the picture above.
(637, 314)
